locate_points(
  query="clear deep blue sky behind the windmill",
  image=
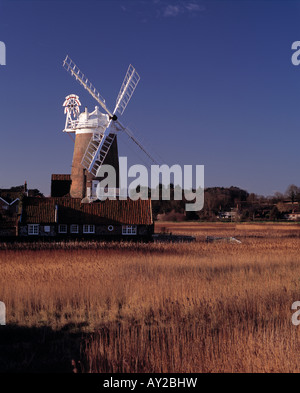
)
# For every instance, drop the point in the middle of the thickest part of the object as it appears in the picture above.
(217, 85)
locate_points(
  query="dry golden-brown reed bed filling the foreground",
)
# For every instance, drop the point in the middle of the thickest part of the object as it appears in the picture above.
(158, 307)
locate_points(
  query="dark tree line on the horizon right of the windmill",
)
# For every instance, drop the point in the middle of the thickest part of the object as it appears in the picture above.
(233, 204)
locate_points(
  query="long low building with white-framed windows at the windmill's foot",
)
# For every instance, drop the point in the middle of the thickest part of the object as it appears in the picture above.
(69, 217)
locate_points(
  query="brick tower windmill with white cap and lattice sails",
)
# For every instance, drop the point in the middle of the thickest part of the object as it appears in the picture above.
(96, 132)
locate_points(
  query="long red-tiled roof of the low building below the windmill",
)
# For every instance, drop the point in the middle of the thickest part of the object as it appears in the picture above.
(72, 211)
